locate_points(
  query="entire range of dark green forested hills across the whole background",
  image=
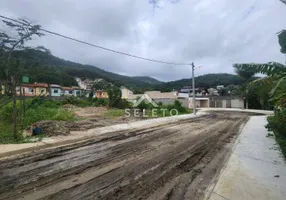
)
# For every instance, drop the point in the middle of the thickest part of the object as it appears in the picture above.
(42, 66)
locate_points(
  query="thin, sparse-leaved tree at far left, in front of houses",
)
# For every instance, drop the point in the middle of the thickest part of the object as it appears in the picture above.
(21, 31)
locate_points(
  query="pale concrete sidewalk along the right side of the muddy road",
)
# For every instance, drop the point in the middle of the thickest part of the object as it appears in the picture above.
(255, 170)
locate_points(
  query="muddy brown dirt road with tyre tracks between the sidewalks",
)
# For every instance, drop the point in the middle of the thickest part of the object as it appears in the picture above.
(174, 161)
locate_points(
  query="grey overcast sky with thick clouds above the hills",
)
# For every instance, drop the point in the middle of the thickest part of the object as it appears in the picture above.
(212, 33)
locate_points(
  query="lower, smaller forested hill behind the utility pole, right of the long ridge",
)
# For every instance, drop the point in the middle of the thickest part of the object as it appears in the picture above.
(207, 80)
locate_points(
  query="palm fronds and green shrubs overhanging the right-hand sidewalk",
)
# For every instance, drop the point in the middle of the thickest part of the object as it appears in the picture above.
(271, 89)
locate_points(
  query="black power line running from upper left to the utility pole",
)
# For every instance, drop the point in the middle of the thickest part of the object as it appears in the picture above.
(94, 45)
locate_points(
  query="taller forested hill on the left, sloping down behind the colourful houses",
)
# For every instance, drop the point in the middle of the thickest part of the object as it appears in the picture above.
(44, 67)
